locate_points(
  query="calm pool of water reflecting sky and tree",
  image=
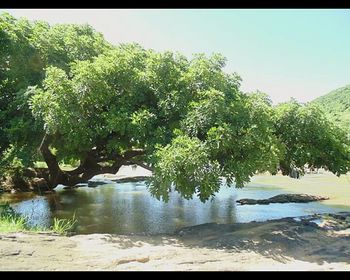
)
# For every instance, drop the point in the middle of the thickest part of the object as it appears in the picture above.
(129, 208)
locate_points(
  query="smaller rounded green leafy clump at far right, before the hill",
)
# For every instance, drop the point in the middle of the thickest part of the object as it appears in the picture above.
(310, 138)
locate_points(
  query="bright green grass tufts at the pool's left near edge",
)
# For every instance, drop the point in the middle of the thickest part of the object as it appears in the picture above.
(11, 221)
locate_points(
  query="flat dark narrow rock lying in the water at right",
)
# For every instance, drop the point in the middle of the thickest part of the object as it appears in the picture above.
(283, 198)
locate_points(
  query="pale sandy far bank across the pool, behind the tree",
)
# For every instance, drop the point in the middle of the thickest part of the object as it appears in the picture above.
(321, 184)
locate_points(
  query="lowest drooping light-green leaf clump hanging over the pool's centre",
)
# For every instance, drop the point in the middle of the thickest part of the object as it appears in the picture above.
(186, 164)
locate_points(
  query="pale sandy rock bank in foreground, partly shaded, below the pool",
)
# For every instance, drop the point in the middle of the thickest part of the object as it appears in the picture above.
(284, 244)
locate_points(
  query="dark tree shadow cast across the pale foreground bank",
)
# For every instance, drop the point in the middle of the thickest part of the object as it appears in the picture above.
(280, 240)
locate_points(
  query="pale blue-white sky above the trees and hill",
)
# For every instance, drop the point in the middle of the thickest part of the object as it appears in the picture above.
(300, 53)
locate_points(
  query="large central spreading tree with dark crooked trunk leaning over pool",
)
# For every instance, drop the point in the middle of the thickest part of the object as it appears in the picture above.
(186, 119)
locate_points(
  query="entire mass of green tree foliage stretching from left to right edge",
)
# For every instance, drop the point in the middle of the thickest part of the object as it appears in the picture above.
(186, 119)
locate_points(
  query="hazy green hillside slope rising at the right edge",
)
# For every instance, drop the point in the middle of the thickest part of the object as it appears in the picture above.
(336, 105)
